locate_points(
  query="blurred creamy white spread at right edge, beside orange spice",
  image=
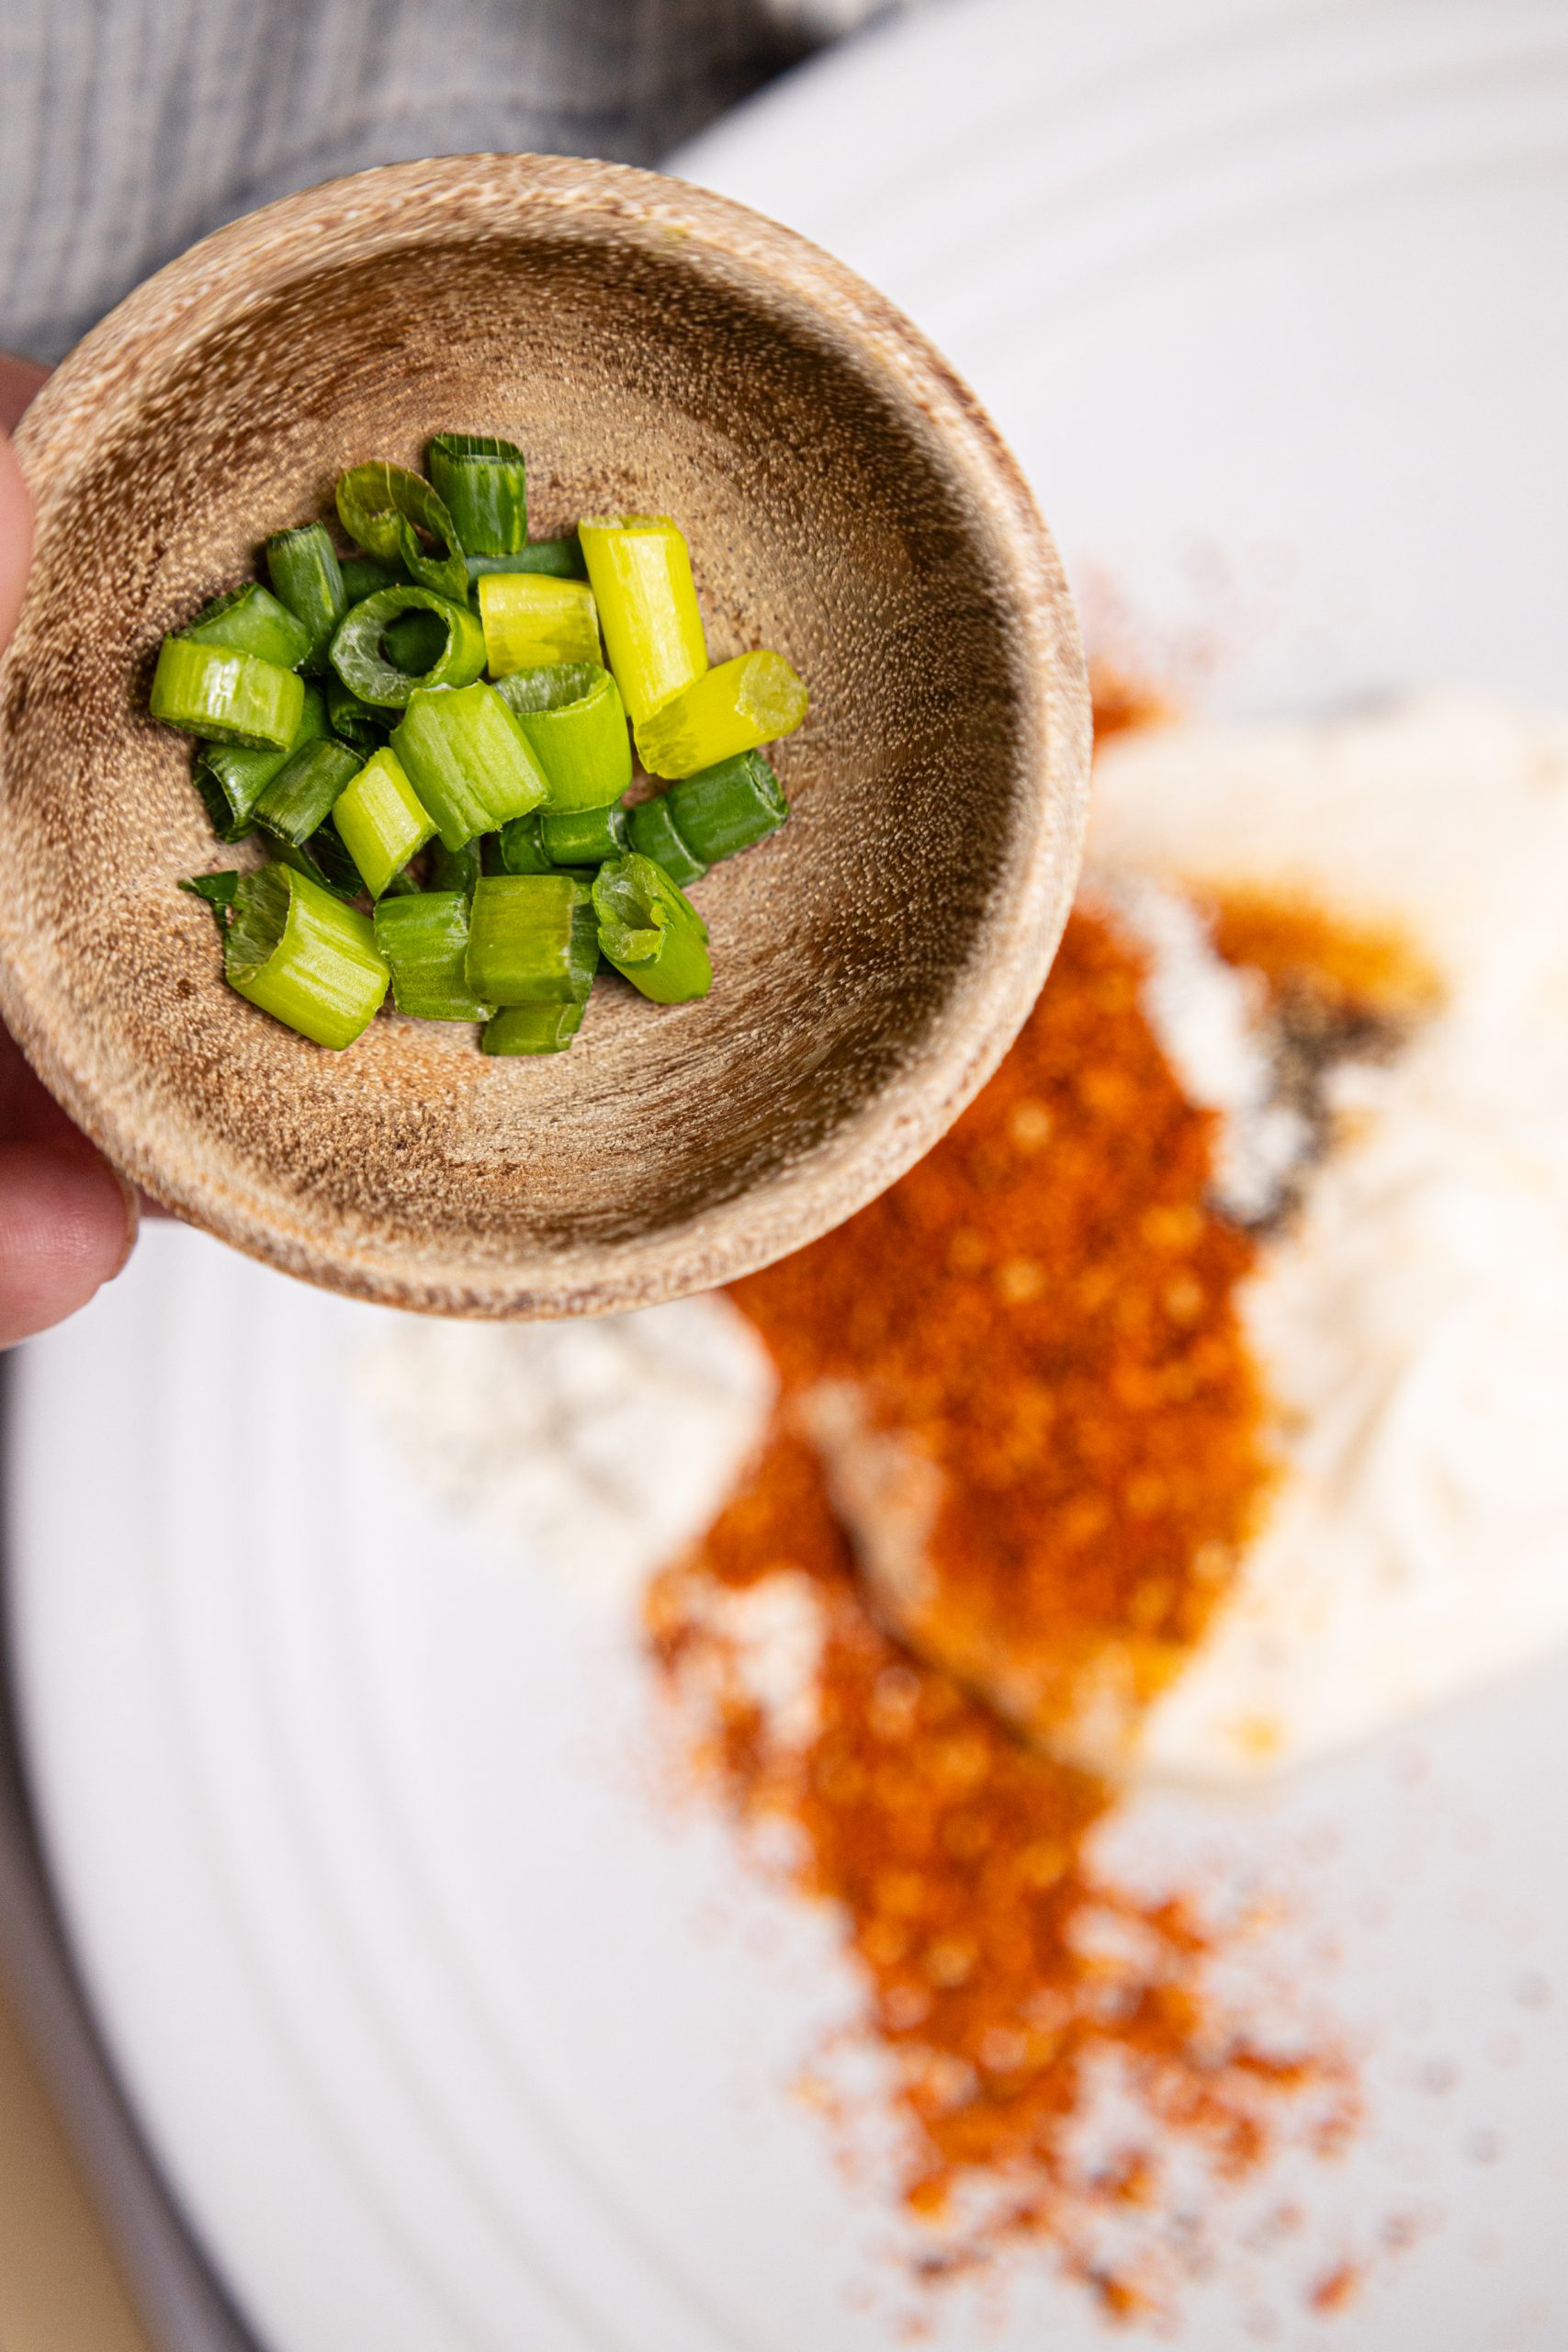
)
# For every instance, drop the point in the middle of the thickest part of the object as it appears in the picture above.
(1412, 1321)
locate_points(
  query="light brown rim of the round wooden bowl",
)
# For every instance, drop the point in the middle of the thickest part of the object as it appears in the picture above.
(991, 998)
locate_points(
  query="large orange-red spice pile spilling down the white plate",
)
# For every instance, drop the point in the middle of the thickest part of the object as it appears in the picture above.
(1045, 1311)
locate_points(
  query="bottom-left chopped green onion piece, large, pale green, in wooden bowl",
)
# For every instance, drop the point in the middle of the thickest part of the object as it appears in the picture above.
(304, 958)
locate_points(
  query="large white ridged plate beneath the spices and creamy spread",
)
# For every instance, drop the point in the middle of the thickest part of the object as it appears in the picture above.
(448, 2026)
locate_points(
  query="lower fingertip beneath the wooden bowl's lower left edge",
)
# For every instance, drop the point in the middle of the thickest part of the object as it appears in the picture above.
(67, 1227)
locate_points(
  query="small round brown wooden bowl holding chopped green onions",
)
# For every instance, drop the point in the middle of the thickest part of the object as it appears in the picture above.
(652, 349)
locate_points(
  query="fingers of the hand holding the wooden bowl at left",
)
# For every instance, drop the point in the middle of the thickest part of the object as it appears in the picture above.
(67, 1222)
